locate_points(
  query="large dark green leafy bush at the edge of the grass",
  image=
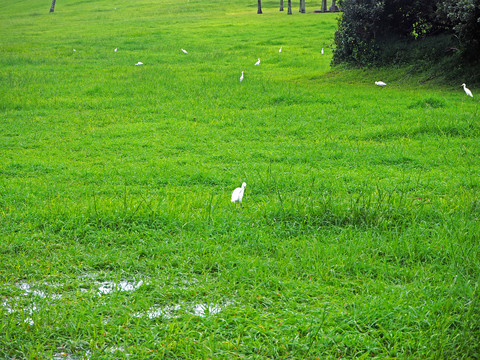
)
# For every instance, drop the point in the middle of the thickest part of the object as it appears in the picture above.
(370, 28)
